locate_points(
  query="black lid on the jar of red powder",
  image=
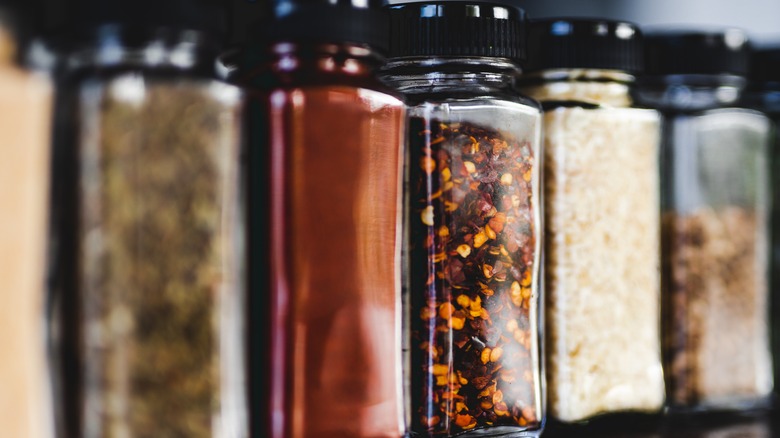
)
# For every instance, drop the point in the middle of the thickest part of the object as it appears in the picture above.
(326, 21)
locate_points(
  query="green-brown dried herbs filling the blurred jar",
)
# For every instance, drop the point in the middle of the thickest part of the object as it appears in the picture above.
(158, 256)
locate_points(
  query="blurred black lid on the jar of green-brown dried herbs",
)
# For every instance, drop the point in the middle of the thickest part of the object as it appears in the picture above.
(208, 16)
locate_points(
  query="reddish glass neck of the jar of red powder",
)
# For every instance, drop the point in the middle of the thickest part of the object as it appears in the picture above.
(300, 63)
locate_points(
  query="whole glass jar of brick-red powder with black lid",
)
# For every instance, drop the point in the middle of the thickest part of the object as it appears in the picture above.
(325, 140)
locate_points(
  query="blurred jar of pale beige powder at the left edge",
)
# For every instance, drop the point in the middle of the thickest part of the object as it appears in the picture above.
(25, 127)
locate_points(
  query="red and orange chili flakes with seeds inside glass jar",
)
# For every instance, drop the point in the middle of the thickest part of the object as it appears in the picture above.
(472, 290)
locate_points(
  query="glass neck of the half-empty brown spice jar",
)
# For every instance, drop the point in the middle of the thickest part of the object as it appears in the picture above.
(691, 92)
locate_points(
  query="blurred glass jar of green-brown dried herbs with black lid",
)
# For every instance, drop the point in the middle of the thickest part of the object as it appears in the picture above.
(150, 245)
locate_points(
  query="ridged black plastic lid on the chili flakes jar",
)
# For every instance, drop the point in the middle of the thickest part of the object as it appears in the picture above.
(446, 28)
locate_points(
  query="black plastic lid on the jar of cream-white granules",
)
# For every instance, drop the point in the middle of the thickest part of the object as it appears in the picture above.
(566, 43)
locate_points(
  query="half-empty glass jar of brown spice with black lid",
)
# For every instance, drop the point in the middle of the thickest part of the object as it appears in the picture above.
(714, 224)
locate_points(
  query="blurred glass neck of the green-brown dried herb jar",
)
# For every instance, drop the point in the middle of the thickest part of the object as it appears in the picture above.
(114, 47)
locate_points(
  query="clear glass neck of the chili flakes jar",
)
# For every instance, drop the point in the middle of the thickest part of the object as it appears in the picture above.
(453, 76)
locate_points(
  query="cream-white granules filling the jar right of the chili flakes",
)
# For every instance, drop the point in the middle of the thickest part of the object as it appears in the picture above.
(602, 241)
